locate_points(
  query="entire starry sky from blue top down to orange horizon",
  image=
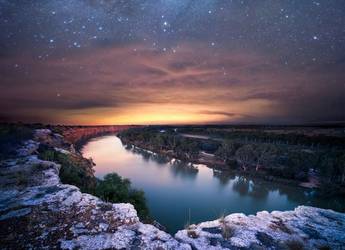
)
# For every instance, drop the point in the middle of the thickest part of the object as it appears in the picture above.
(172, 61)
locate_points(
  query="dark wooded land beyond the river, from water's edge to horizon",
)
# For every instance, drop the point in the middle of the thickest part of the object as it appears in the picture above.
(297, 154)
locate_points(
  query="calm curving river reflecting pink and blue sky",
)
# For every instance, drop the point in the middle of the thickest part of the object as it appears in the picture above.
(174, 192)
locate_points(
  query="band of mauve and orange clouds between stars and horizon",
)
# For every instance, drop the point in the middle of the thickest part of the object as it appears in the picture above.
(200, 81)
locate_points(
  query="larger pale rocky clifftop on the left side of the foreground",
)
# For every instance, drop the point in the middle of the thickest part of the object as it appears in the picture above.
(38, 211)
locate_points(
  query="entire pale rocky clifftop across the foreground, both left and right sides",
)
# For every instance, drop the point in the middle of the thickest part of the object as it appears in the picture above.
(38, 211)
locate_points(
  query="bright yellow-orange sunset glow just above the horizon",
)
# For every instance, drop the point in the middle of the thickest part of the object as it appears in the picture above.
(151, 114)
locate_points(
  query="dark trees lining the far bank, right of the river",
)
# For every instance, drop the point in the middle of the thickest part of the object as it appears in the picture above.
(251, 151)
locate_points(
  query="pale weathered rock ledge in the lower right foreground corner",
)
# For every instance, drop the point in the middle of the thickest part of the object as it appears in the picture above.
(305, 227)
